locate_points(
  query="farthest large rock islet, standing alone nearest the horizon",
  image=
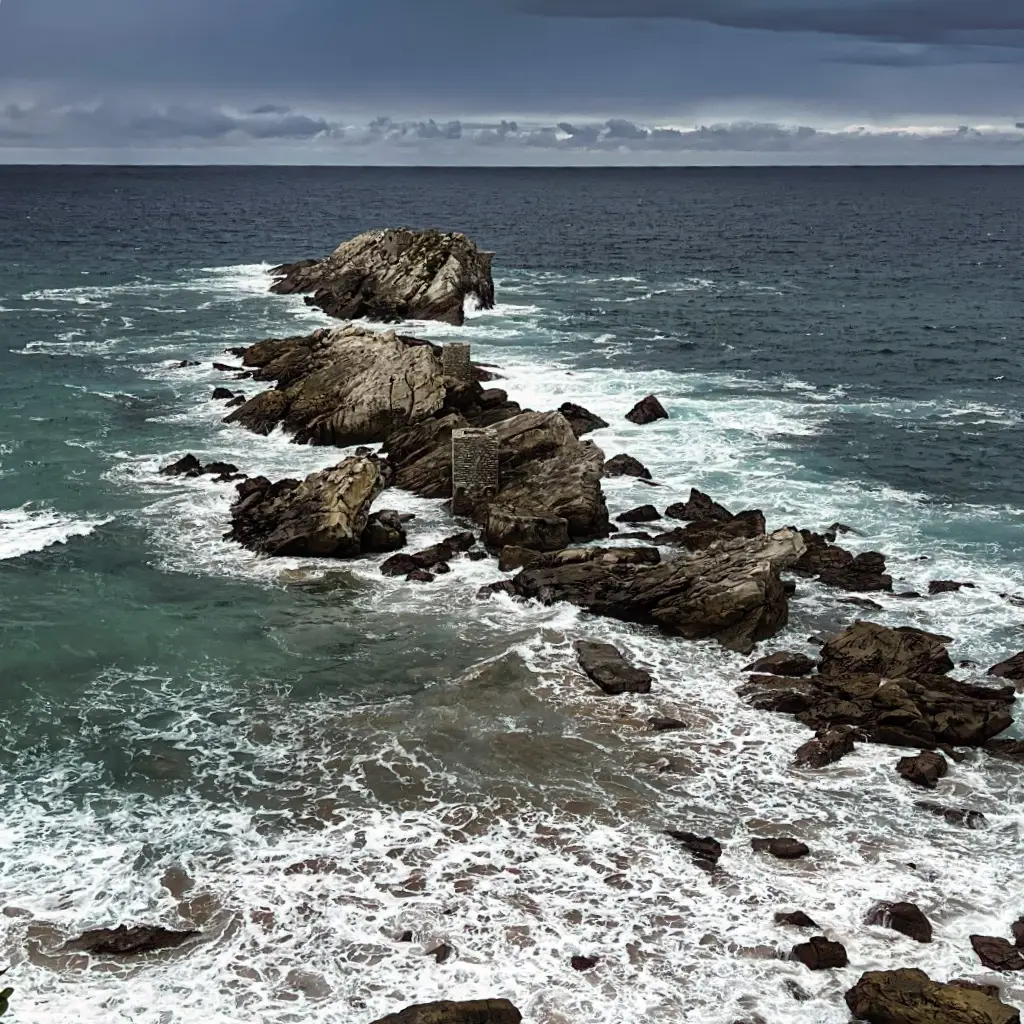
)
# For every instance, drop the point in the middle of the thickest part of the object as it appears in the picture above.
(395, 276)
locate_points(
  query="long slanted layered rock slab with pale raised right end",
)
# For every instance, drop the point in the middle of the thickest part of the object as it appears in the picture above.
(733, 593)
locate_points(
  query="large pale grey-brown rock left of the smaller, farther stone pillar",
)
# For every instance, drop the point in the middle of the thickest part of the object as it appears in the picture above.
(344, 387)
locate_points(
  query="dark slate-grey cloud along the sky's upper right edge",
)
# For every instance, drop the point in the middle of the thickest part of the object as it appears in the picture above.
(906, 21)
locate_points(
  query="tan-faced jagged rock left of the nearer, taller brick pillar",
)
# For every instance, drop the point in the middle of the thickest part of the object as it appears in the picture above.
(324, 517)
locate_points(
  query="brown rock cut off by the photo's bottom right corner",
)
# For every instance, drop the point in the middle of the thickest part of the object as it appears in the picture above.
(910, 997)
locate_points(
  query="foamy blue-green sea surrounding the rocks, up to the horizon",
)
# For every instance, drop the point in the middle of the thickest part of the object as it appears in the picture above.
(306, 760)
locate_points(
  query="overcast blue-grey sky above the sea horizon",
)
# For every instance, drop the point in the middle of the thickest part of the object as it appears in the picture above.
(513, 82)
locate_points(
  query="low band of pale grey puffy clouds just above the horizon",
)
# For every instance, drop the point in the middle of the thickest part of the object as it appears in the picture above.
(39, 127)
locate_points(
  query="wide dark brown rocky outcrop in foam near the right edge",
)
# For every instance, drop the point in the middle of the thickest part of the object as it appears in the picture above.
(885, 685)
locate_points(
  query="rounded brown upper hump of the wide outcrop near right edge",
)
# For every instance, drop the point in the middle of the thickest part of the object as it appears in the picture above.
(890, 653)
